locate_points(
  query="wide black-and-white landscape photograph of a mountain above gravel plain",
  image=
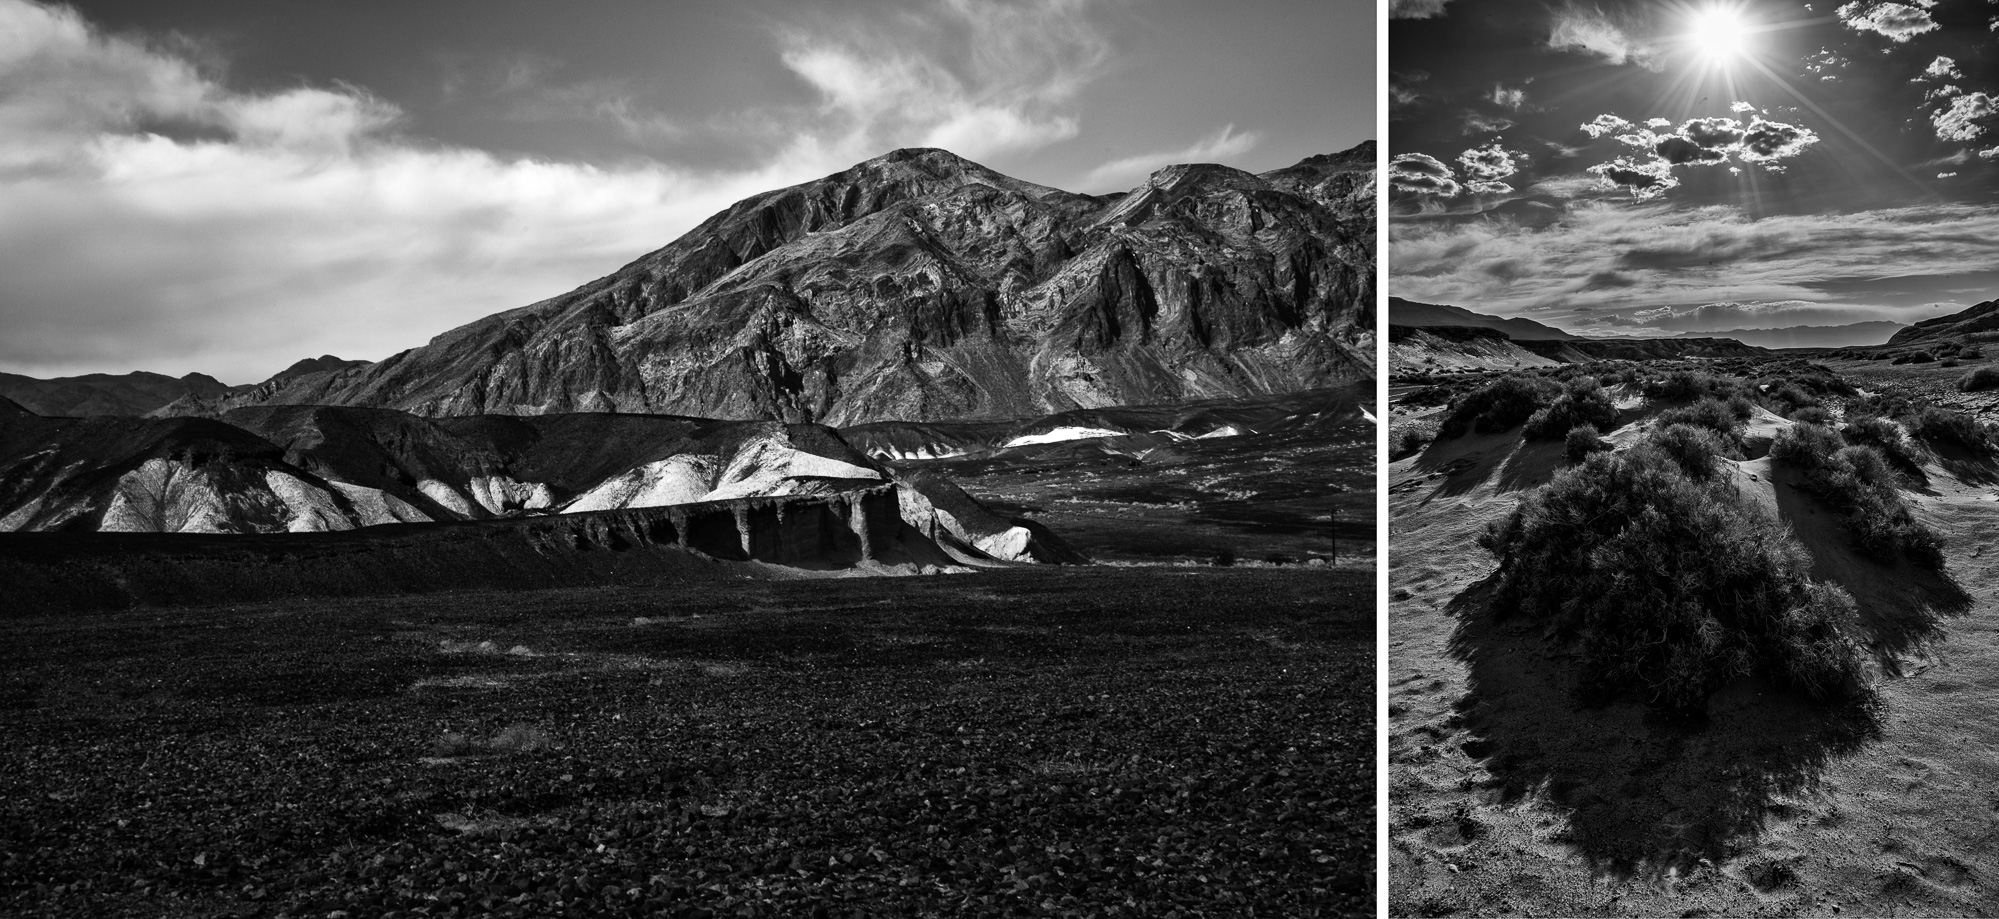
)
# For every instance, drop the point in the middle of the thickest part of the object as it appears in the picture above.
(857, 459)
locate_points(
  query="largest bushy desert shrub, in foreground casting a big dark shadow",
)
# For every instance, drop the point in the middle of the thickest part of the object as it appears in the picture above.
(1668, 588)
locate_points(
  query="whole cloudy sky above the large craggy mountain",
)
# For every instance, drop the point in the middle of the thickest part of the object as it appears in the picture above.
(235, 185)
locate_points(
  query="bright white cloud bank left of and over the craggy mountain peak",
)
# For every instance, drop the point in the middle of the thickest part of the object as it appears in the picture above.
(151, 215)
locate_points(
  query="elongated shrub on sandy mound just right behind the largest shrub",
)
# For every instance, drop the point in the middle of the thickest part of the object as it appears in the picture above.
(1858, 482)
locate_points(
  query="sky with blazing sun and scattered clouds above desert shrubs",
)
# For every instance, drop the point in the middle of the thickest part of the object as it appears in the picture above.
(1646, 169)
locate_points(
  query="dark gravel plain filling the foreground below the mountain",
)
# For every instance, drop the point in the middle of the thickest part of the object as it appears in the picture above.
(1028, 742)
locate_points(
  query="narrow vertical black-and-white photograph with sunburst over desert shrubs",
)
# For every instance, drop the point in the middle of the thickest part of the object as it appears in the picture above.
(1694, 459)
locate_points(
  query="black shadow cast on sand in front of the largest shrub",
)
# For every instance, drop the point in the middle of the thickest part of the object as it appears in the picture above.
(1644, 794)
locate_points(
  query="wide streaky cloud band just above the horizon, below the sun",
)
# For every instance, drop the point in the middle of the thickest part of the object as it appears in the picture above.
(1600, 251)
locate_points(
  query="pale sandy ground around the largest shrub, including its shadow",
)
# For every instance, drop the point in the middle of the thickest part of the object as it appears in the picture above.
(1510, 798)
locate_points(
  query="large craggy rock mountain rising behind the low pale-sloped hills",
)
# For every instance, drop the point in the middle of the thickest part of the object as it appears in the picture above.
(925, 287)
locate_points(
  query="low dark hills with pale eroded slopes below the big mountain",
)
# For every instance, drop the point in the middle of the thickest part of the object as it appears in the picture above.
(325, 468)
